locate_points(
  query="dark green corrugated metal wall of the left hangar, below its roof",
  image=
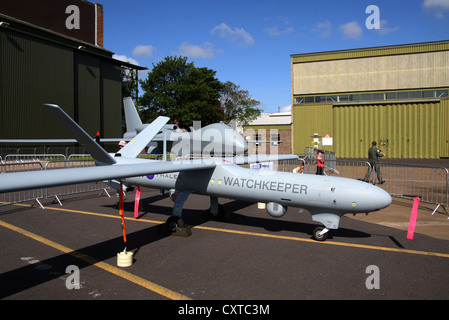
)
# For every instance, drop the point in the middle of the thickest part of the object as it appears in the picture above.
(34, 71)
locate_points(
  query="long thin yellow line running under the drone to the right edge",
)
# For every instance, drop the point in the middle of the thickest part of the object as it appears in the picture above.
(265, 235)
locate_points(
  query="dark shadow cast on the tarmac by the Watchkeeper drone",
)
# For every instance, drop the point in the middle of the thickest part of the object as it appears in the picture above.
(26, 277)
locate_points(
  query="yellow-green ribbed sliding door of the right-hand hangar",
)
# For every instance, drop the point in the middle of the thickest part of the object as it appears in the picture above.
(402, 130)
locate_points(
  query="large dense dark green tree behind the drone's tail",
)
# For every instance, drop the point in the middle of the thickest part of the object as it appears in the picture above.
(181, 91)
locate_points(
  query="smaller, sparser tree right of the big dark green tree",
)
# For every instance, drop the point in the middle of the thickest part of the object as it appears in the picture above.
(238, 105)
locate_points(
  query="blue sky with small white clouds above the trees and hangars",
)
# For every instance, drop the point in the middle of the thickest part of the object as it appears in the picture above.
(249, 42)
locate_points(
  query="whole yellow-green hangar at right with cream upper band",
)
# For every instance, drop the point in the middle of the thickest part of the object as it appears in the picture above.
(395, 95)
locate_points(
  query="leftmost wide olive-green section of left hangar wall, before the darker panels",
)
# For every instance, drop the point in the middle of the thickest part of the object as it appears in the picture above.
(29, 78)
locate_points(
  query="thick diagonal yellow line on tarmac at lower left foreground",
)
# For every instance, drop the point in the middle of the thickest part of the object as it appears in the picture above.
(102, 265)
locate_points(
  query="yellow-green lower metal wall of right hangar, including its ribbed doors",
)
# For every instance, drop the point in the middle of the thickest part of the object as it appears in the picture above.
(401, 129)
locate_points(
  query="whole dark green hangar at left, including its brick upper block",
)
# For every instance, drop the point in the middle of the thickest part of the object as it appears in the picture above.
(52, 52)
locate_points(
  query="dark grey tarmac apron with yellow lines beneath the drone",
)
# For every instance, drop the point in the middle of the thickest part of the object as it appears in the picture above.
(251, 256)
